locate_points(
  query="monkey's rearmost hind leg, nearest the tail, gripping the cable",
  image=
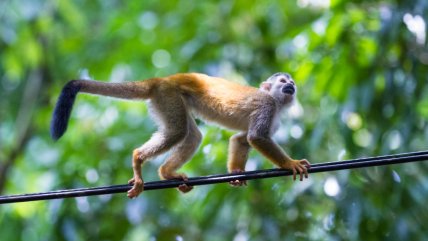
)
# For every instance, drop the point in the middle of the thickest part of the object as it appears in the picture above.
(171, 115)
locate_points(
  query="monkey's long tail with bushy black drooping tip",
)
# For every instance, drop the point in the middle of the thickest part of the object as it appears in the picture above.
(126, 90)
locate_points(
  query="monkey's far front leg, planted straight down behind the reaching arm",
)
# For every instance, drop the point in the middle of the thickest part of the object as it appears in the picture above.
(238, 155)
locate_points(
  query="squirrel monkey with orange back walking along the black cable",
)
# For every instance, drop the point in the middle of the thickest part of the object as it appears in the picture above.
(174, 99)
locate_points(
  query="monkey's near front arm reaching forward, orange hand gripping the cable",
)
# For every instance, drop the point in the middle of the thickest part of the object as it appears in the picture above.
(259, 137)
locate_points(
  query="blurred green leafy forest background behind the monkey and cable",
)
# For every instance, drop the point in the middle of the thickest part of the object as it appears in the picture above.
(361, 68)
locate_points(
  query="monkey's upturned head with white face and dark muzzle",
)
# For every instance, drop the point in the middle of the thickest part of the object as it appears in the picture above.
(280, 86)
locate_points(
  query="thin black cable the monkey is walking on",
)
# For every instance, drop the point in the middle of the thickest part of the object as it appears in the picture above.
(221, 178)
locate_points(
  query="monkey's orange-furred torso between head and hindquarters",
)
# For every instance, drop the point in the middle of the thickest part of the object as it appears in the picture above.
(219, 100)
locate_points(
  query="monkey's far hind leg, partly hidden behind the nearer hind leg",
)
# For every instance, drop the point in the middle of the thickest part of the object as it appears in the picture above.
(181, 154)
